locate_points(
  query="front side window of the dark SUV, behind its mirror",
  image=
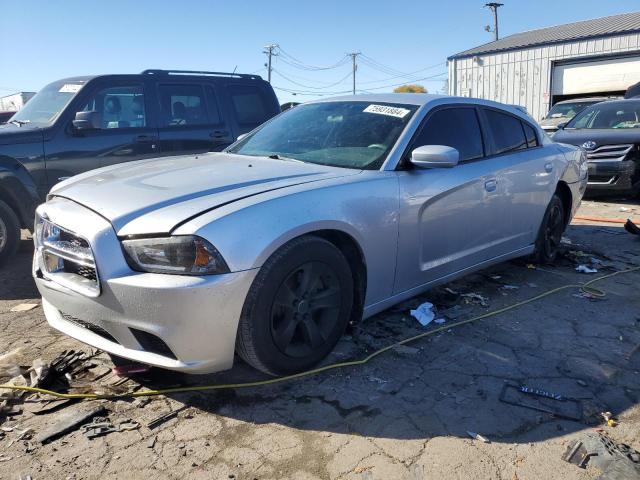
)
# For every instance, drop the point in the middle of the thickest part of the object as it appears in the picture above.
(118, 107)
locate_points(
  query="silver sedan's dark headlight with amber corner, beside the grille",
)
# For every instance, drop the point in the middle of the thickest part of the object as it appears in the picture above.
(178, 255)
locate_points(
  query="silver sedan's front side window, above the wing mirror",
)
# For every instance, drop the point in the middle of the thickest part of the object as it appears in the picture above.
(454, 127)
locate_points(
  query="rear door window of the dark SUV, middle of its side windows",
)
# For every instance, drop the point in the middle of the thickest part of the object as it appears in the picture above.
(182, 105)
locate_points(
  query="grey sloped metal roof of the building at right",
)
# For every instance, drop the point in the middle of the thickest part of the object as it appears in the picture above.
(598, 27)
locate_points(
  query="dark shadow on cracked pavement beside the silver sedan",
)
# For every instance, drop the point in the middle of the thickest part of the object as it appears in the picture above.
(451, 382)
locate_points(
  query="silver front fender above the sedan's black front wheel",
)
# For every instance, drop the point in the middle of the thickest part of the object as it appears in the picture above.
(365, 208)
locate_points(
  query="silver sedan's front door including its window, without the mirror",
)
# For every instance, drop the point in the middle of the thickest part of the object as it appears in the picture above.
(450, 218)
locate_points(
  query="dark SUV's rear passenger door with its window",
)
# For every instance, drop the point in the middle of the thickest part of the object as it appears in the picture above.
(191, 120)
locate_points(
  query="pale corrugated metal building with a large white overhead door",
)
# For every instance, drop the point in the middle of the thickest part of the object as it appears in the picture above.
(538, 68)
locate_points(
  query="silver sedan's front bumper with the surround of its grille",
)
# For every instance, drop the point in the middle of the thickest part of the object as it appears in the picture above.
(176, 322)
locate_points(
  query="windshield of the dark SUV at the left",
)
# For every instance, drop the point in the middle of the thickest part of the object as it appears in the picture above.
(46, 105)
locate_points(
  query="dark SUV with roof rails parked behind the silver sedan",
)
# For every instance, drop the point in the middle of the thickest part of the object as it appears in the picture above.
(81, 123)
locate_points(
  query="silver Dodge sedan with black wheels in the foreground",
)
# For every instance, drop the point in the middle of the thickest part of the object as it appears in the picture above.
(327, 214)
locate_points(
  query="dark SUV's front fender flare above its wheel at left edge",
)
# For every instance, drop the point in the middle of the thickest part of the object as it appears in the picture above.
(18, 190)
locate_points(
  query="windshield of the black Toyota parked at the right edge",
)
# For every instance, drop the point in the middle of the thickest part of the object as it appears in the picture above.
(623, 114)
